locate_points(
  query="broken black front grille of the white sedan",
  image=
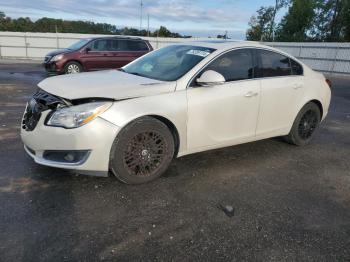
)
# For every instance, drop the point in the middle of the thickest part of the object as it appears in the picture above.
(40, 102)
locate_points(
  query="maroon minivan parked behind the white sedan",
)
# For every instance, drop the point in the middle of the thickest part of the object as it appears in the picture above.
(96, 54)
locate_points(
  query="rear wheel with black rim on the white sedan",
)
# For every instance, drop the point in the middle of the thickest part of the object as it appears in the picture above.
(304, 126)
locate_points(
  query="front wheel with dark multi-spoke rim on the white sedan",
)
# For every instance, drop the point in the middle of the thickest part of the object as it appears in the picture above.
(142, 151)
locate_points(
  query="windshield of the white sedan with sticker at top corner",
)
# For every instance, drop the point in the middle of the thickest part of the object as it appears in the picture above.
(168, 63)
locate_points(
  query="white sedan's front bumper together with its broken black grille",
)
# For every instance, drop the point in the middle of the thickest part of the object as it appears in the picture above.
(85, 149)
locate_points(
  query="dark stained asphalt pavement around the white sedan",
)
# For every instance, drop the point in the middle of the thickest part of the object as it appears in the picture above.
(261, 201)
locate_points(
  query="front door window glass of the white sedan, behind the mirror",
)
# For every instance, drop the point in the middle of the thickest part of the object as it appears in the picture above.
(234, 65)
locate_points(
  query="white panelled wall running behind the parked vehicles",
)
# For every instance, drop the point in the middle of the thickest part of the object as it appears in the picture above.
(324, 57)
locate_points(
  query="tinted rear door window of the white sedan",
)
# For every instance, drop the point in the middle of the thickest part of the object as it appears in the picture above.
(273, 64)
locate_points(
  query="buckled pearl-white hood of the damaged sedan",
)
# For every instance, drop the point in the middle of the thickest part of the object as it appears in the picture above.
(104, 84)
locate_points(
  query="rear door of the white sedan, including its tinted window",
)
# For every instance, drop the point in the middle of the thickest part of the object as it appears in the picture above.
(281, 90)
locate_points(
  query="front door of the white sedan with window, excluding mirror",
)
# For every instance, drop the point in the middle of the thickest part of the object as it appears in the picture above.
(224, 114)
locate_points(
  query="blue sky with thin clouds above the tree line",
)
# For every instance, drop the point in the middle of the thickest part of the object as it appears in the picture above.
(201, 18)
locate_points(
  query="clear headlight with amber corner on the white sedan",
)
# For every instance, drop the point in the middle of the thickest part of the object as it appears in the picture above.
(76, 116)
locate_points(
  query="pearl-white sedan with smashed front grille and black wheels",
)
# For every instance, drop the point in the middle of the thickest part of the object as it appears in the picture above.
(177, 100)
